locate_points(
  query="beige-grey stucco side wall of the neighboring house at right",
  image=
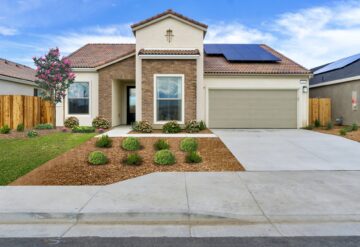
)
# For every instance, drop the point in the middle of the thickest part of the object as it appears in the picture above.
(341, 95)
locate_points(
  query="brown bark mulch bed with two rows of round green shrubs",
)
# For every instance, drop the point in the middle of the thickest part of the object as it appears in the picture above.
(72, 167)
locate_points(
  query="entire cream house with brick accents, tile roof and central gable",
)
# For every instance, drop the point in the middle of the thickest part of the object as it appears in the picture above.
(170, 74)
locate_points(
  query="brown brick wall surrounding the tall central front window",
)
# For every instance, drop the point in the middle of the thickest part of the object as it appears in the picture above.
(167, 66)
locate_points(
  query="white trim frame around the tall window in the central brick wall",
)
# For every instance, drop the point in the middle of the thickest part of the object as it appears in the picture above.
(182, 76)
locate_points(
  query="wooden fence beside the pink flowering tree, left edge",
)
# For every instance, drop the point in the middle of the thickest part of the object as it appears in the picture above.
(29, 110)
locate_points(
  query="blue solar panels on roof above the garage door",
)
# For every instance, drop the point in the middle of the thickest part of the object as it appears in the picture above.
(241, 52)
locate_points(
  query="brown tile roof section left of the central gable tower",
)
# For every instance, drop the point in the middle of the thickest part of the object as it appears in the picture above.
(94, 55)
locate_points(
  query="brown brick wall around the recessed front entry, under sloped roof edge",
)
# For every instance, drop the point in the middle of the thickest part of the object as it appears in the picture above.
(123, 70)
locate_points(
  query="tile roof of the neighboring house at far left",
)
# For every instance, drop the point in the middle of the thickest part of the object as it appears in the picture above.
(15, 70)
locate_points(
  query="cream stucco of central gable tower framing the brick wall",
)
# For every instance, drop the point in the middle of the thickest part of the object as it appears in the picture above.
(185, 36)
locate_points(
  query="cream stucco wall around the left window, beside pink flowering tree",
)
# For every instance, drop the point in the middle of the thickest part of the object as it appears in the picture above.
(86, 119)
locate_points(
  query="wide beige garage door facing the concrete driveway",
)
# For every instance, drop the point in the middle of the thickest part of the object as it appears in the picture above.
(229, 108)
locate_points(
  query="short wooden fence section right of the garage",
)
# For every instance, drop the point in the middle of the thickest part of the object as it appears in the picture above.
(320, 108)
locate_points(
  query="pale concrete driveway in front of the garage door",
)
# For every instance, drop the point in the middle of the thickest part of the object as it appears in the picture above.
(277, 150)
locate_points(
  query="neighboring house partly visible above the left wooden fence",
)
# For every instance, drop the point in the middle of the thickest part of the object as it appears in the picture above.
(16, 79)
